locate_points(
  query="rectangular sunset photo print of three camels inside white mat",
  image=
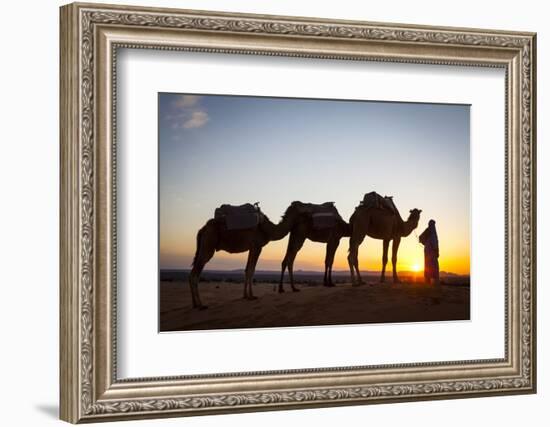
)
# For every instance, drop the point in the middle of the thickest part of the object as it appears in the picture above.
(291, 212)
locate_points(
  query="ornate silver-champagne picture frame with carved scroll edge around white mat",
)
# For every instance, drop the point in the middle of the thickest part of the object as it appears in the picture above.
(91, 34)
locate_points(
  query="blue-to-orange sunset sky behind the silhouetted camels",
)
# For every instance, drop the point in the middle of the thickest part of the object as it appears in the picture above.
(234, 149)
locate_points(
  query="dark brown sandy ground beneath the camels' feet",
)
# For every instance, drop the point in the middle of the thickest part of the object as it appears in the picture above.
(313, 305)
